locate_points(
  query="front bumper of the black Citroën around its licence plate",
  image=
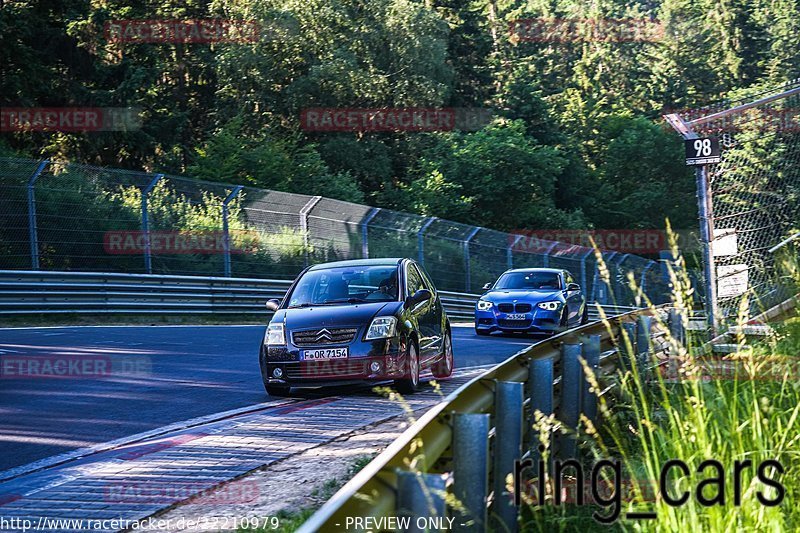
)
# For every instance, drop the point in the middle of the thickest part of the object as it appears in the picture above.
(389, 354)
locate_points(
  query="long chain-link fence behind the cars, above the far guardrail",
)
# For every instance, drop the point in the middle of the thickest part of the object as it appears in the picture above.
(65, 216)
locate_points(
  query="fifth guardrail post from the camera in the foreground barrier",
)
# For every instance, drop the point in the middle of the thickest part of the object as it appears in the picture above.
(570, 406)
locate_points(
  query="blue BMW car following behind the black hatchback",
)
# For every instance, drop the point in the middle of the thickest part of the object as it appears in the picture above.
(534, 300)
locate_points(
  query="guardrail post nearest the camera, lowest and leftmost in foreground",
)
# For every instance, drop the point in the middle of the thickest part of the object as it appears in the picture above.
(420, 496)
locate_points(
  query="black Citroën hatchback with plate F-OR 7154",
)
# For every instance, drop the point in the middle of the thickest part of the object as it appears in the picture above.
(357, 321)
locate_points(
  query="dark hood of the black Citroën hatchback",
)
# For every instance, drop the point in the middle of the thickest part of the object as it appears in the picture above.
(327, 316)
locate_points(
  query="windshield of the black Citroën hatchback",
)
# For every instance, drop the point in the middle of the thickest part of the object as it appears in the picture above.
(346, 285)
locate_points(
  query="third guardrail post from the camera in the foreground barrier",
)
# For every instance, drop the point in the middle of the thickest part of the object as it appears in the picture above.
(509, 397)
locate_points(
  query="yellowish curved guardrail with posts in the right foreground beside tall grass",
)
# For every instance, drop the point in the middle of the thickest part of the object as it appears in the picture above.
(454, 436)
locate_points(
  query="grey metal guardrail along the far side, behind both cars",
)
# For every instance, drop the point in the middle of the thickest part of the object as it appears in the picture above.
(46, 292)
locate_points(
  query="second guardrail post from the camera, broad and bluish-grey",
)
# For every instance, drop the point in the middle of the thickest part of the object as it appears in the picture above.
(471, 470)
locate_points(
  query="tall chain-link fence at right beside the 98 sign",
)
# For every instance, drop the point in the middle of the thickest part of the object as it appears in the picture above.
(752, 196)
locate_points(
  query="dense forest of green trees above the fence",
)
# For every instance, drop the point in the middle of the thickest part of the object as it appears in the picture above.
(576, 139)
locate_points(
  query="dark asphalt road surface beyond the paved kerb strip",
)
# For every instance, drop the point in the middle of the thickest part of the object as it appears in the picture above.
(125, 380)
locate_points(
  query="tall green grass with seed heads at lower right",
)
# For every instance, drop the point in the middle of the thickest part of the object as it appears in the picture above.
(743, 407)
